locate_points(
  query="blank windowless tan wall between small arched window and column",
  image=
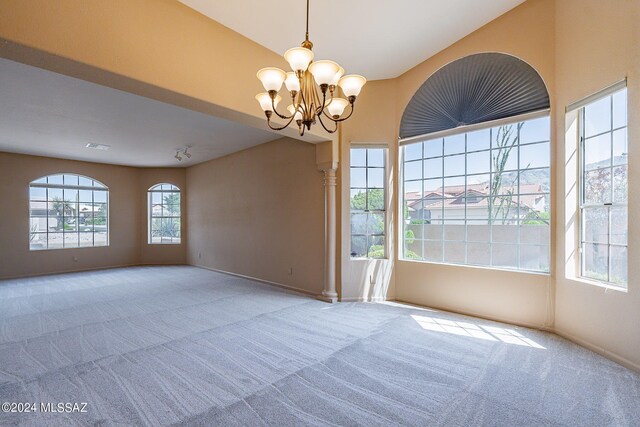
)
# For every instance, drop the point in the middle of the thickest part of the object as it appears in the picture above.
(258, 213)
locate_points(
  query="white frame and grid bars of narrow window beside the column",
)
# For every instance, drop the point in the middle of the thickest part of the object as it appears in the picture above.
(383, 212)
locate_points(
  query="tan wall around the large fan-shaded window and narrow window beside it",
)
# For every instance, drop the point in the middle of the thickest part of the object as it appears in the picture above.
(528, 33)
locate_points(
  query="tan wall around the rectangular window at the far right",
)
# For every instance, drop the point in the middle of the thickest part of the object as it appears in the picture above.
(597, 45)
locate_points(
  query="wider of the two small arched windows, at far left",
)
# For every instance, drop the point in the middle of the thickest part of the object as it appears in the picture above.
(68, 211)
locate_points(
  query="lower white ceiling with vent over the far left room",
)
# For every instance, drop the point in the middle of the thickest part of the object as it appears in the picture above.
(49, 114)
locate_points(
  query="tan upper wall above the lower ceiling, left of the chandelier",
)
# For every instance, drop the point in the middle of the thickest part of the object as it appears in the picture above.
(161, 49)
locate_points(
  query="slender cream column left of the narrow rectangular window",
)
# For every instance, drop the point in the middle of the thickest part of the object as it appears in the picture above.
(329, 293)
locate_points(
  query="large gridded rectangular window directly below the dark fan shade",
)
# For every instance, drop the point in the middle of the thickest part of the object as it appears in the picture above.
(480, 197)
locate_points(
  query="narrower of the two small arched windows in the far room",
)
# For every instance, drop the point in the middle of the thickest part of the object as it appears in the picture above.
(164, 214)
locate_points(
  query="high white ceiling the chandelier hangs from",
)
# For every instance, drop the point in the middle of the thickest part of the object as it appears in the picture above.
(378, 39)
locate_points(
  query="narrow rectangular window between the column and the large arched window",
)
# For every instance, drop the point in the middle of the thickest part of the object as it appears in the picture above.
(368, 202)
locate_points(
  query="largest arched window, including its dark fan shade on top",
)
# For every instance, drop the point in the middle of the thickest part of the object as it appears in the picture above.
(476, 166)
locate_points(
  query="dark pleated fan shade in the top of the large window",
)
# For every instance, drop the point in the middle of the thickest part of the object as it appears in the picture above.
(475, 89)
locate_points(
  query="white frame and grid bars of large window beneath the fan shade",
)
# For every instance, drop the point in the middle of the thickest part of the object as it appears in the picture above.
(464, 130)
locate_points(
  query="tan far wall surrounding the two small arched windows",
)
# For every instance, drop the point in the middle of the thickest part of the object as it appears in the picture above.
(127, 217)
